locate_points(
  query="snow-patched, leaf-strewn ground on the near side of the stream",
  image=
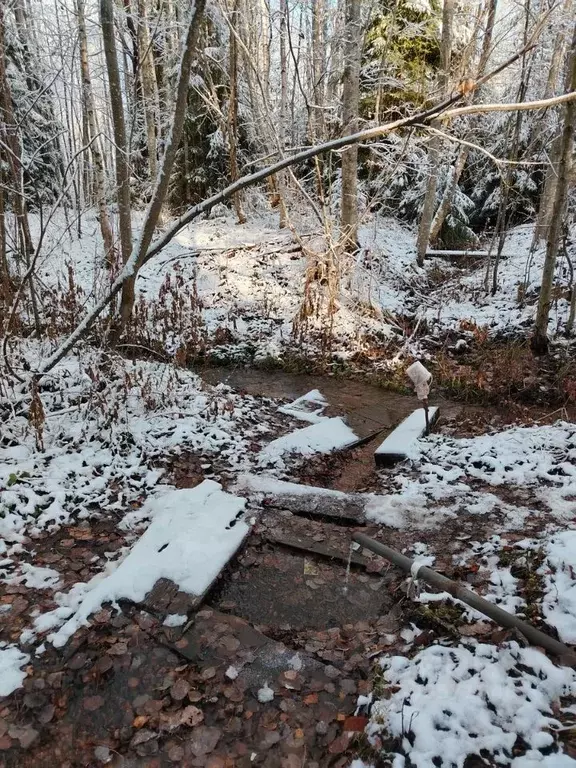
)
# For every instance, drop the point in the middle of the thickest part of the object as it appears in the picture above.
(290, 661)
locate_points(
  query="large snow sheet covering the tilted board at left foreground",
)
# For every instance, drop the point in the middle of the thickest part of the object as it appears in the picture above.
(188, 541)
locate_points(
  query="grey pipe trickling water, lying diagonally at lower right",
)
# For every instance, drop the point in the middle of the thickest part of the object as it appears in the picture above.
(534, 636)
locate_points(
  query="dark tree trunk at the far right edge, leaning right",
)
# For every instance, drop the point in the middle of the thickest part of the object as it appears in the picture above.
(539, 342)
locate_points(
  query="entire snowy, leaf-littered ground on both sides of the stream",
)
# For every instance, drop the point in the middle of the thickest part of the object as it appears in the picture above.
(177, 584)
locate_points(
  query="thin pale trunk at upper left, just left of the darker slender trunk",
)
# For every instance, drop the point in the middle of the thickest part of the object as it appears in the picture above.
(89, 116)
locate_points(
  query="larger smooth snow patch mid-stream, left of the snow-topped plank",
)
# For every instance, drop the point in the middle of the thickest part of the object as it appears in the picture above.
(328, 435)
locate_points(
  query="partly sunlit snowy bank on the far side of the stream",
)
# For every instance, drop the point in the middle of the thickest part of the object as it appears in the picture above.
(240, 287)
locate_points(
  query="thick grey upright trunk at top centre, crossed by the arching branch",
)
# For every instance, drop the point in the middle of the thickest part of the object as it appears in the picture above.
(350, 103)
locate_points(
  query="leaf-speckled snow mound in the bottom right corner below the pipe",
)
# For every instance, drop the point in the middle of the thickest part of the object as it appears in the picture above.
(458, 701)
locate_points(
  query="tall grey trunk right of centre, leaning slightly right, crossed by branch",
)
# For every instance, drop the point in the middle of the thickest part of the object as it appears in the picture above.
(429, 205)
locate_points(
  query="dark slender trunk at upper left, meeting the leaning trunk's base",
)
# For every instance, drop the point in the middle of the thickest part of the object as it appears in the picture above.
(121, 148)
